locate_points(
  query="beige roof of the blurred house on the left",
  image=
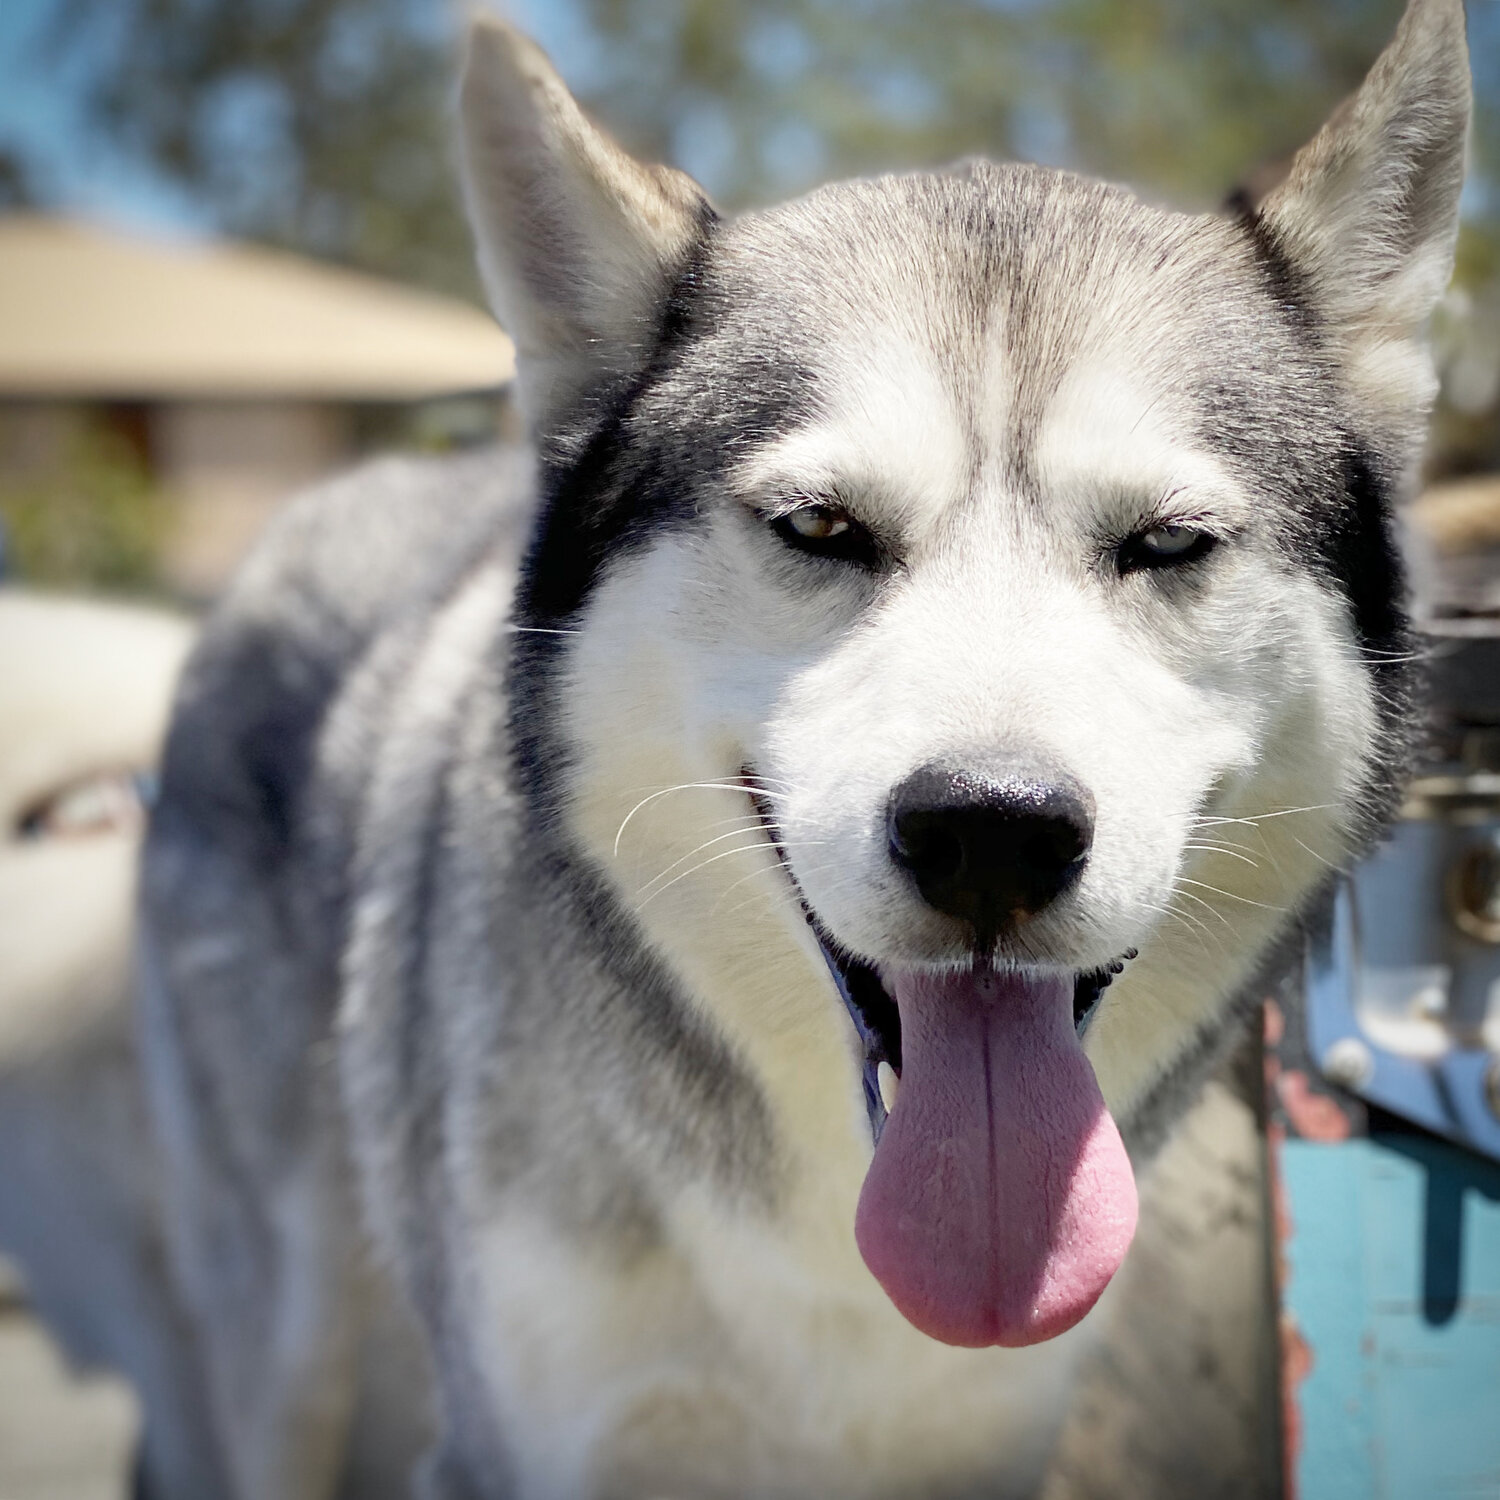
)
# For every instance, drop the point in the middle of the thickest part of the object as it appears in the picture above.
(88, 311)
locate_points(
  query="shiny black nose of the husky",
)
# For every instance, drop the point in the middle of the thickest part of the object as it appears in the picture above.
(991, 850)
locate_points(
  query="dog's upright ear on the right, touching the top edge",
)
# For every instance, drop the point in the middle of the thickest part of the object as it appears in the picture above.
(1369, 215)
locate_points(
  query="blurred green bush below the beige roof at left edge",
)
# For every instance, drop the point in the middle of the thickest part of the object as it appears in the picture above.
(92, 520)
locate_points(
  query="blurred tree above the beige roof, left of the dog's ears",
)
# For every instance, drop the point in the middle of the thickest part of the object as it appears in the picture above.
(319, 125)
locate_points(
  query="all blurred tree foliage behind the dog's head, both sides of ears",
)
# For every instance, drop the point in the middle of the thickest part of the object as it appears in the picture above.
(323, 124)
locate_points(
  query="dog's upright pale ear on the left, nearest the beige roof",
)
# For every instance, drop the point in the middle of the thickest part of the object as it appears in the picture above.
(578, 242)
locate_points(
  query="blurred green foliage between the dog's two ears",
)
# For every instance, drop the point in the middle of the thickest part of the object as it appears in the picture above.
(1181, 95)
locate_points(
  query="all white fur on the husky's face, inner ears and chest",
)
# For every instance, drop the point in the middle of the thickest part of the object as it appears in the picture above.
(1003, 635)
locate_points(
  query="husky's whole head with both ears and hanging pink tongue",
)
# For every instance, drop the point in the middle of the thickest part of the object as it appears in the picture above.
(985, 575)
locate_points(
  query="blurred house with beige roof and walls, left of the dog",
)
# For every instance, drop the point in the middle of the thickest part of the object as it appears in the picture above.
(233, 374)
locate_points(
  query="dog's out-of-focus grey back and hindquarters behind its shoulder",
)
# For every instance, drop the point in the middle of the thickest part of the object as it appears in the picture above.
(245, 889)
